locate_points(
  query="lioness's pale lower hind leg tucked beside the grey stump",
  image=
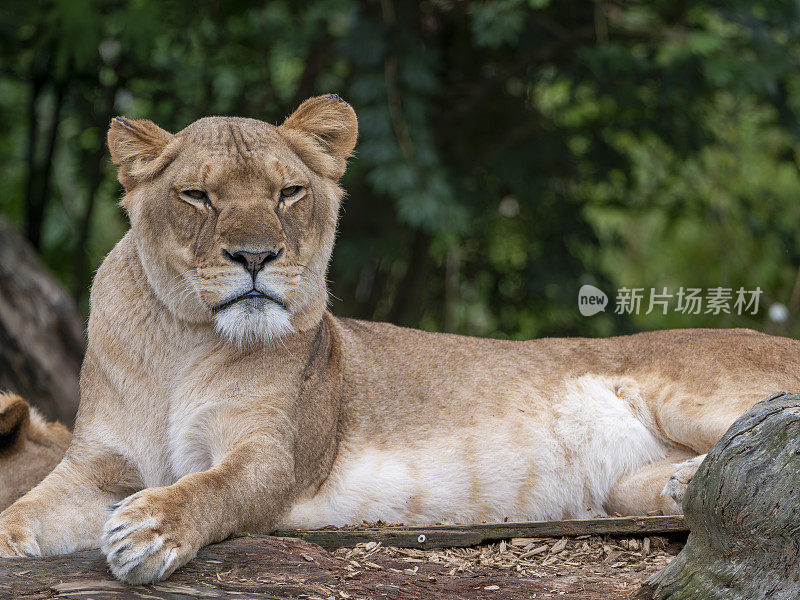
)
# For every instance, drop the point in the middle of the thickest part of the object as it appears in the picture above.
(643, 492)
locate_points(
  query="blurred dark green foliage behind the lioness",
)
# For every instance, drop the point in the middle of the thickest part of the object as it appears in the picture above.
(510, 150)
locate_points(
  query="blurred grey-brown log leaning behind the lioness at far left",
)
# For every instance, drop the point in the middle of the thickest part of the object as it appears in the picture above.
(41, 331)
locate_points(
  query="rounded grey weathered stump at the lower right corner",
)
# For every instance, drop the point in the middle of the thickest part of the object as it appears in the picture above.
(743, 511)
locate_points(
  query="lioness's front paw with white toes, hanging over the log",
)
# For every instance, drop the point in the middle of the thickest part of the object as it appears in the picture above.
(142, 542)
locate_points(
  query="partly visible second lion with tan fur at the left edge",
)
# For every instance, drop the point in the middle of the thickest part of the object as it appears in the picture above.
(29, 447)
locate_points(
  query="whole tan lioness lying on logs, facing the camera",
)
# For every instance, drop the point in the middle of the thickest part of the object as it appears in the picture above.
(218, 396)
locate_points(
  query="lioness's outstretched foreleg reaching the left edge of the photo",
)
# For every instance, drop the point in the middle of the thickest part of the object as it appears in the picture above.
(66, 511)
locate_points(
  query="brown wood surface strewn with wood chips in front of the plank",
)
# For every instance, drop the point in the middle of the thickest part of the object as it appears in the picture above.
(266, 568)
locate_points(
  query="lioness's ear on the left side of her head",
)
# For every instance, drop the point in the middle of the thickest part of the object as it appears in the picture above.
(135, 147)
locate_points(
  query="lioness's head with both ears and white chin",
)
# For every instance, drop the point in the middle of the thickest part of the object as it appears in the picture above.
(234, 219)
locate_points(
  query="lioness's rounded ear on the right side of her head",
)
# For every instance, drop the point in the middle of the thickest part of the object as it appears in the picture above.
(325, 123)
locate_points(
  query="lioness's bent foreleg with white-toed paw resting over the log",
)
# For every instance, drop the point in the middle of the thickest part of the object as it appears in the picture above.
(157, 530)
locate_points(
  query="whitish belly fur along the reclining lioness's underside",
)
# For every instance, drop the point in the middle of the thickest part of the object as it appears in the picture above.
(559, 466)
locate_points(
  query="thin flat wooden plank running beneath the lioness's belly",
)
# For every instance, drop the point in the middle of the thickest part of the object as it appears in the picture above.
(455, 536)
